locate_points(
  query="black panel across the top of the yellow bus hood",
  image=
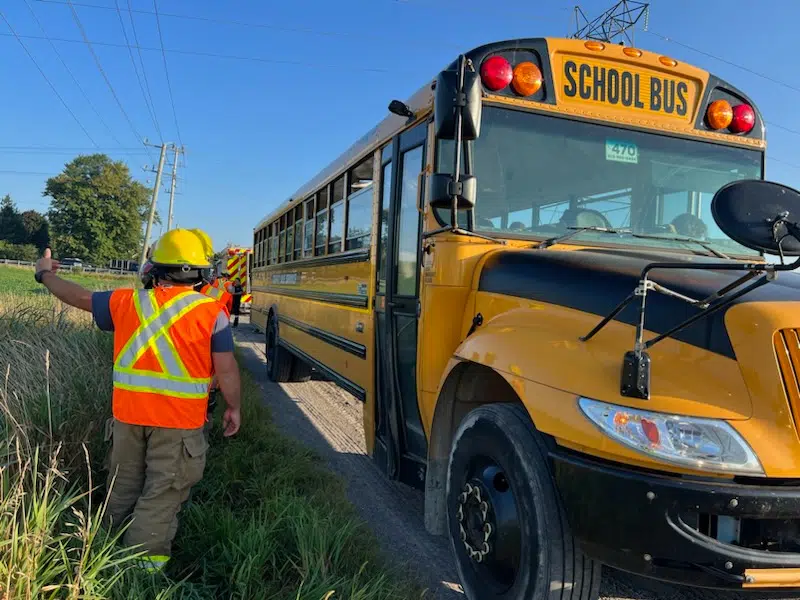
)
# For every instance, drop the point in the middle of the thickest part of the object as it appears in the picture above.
(595, 281)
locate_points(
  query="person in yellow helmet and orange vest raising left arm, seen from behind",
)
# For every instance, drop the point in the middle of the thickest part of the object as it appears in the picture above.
(168, 343)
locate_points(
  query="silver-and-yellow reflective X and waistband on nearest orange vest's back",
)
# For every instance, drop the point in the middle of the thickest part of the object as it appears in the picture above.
(154, 322)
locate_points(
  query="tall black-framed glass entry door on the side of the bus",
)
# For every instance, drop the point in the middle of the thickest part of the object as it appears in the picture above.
(401, 447)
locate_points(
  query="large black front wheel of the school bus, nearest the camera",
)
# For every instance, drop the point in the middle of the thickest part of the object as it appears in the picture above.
(508, 531)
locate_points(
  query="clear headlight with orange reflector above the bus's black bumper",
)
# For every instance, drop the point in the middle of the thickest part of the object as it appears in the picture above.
(700, 444)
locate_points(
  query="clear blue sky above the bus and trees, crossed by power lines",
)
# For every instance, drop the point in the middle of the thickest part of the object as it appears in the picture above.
(310, 79)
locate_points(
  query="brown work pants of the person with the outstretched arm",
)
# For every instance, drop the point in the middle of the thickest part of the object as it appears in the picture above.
(151, 472)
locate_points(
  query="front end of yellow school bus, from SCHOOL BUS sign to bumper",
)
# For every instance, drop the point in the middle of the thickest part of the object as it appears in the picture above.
(606, 163)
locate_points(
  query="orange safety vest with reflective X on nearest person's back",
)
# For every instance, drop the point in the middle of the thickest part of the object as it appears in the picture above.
(162, 356)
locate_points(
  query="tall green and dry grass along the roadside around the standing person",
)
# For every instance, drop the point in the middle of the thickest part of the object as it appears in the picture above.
(267, 521)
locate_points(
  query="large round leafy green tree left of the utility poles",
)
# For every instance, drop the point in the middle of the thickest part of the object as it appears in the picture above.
(97, 209)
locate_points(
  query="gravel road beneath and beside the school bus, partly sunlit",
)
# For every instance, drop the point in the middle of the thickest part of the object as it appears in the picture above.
(327, 419)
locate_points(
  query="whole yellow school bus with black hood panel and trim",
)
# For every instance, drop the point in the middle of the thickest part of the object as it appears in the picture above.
(492, 318)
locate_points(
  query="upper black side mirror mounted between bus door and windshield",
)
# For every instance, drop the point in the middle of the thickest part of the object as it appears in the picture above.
(448, 100)
